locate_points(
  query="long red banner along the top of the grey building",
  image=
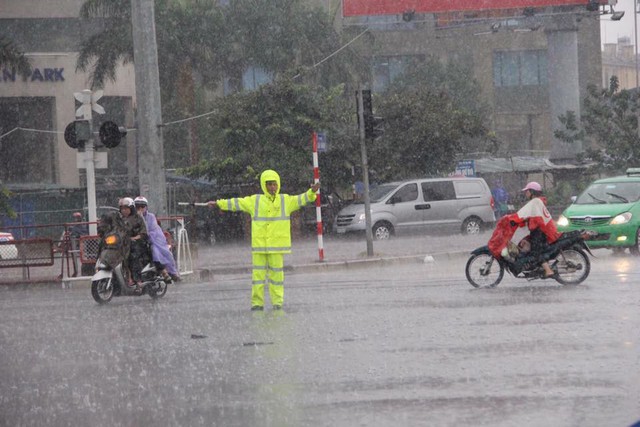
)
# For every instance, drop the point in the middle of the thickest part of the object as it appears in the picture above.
(393, 7)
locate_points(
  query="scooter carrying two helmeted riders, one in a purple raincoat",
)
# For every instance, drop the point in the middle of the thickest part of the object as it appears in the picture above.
(110, 280)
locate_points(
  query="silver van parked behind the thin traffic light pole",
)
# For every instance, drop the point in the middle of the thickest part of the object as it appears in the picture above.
(421, 205)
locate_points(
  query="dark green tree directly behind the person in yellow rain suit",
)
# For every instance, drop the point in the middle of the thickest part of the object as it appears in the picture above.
(271, 128)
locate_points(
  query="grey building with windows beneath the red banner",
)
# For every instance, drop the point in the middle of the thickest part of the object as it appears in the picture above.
(533, 64)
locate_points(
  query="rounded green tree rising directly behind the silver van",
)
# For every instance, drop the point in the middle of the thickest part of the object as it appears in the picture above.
(433, 114)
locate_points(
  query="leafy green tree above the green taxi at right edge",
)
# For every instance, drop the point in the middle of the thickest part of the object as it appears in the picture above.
(608, 127)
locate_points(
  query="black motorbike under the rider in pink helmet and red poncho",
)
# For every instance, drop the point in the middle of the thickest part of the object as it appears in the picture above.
(567, 257)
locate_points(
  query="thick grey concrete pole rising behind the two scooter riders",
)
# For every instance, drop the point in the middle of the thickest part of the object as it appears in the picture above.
(148, 112)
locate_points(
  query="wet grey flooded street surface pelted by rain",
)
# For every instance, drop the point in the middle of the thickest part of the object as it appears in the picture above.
(409, 345)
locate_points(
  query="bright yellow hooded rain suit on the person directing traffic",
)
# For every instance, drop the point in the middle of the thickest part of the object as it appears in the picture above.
(270, 234)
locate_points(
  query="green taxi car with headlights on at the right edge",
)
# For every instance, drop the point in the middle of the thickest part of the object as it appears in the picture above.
(611, 207)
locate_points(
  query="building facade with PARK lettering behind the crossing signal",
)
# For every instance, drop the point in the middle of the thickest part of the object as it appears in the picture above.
(34, 110)
